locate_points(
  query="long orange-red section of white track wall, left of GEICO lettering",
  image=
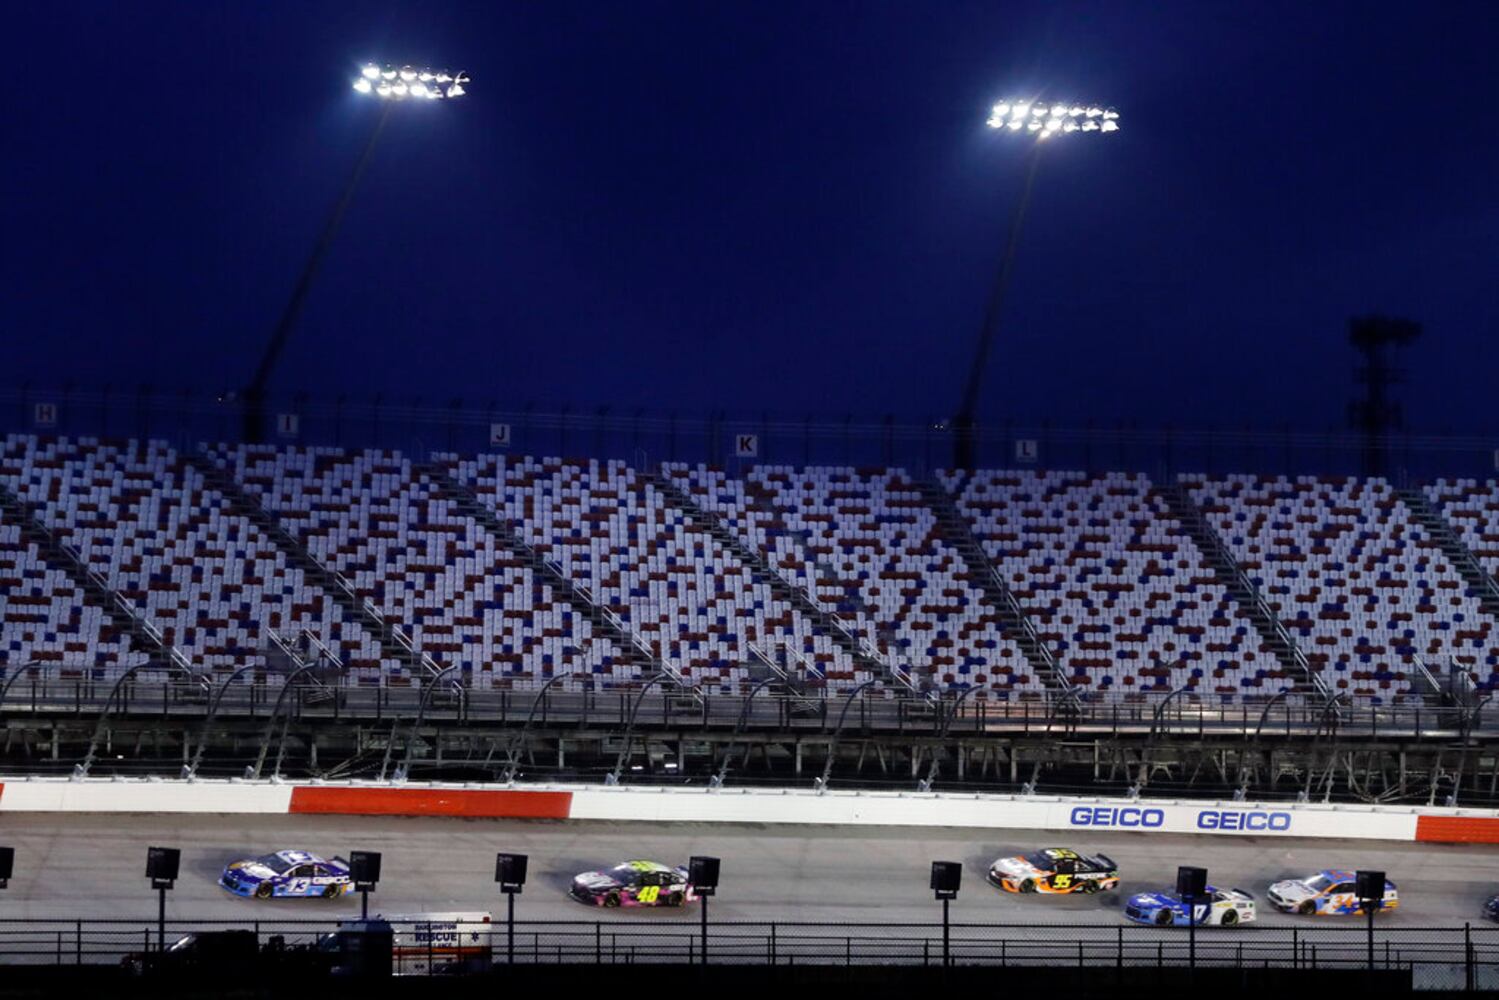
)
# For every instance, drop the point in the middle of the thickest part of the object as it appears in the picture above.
(530, 806)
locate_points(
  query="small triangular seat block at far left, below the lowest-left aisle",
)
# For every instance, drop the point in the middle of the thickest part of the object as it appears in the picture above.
(47, 620)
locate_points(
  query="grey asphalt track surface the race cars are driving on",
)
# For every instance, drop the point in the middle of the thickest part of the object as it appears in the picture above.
(92, 867)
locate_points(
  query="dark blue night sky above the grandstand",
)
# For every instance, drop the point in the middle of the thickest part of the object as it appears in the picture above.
(761, 206)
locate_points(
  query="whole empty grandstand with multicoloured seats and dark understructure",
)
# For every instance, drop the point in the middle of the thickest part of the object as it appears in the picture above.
(497, 614)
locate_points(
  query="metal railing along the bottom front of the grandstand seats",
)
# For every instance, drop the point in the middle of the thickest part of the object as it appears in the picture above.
(58, 690)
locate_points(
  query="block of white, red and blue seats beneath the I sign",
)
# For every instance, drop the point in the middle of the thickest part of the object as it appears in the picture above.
(462, 597)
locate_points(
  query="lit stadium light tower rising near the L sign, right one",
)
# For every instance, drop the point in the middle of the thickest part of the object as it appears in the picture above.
(1035, 122)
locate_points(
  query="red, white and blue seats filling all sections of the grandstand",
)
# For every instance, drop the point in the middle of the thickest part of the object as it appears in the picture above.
(1098, 564)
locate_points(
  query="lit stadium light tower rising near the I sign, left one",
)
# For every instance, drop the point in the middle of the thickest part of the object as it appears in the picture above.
(390, 86)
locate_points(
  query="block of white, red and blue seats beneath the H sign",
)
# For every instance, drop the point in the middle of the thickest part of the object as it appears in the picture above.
(149, 525)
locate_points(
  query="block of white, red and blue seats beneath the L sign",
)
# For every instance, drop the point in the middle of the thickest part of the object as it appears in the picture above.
(1113, 584)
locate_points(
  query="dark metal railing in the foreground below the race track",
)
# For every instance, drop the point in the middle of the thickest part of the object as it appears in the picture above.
(1440, 957)
